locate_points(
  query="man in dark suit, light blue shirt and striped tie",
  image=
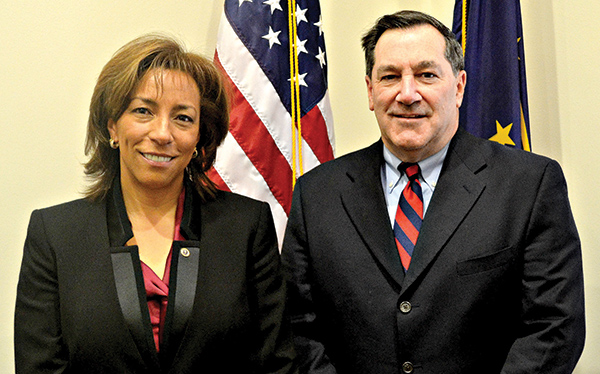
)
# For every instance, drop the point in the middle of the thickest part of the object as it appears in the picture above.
(494, 282)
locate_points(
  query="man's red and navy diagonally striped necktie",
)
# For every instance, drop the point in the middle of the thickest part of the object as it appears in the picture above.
(409, 214)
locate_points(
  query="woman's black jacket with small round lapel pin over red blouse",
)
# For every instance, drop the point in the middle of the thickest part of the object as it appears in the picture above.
(81, 303)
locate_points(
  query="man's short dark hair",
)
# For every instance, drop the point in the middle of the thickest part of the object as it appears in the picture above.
(404, 20)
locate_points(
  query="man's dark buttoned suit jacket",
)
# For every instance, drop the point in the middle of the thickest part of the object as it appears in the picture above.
(495, 283)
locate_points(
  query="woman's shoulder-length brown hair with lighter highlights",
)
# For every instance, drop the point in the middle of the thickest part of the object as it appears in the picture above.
(120, 78)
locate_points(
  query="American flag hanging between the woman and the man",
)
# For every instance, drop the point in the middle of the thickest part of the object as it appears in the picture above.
(261, 156)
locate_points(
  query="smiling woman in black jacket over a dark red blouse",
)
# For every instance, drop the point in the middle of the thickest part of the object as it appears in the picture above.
(154, 271)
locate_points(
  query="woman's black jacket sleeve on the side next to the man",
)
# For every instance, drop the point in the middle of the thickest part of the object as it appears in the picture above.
(275, 352)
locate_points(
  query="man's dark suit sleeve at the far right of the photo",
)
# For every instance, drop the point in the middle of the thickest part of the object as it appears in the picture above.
(552, 330)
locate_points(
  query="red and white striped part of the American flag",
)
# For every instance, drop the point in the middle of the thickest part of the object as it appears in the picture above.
(256, 157)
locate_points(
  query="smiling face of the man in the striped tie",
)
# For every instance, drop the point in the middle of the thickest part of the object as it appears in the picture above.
(414, 93)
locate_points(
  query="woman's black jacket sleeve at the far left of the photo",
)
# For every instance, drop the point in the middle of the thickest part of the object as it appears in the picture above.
(39, 346)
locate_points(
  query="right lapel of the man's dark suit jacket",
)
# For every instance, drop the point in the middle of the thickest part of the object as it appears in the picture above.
(457, 190)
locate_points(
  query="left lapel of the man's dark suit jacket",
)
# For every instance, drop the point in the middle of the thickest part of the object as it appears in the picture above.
(365, 205)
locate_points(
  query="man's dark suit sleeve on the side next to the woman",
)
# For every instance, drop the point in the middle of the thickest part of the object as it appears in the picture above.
(312, 356)
